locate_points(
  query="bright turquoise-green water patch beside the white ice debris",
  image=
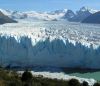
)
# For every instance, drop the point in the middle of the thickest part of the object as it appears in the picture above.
(94, 75)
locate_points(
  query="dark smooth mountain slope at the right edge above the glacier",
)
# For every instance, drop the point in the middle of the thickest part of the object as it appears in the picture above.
(94, 18)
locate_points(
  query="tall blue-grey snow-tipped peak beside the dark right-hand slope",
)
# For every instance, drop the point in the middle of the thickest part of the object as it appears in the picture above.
(82, 14)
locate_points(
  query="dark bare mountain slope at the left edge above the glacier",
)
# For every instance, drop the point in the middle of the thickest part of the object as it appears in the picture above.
(5, 19)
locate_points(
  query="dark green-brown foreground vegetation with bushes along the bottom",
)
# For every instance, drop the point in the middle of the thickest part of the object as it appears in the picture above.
(11, 78)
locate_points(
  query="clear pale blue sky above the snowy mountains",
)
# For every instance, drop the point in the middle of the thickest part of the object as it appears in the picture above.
(48, 5)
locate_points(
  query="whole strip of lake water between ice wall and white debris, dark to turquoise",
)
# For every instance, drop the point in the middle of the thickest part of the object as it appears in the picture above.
(94, 74)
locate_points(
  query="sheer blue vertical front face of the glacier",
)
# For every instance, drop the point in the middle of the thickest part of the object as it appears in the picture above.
(58, 52)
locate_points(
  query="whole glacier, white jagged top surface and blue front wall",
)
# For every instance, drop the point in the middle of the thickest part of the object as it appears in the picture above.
(50, 43)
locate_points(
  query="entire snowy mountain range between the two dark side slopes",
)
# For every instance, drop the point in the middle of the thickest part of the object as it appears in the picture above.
(65, 14)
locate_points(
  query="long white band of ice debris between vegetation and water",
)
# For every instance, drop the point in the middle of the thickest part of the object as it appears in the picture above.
(60, 76)
